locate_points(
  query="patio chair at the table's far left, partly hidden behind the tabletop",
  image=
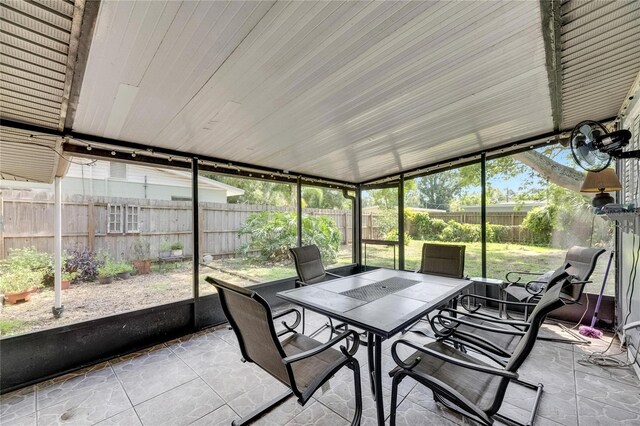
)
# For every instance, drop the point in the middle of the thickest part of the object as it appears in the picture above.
(310, 271)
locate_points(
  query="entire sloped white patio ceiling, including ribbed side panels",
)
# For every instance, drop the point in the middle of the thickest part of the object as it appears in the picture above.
(345, 90)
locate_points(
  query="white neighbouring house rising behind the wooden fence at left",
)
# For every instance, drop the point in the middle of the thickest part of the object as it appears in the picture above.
(116, 179)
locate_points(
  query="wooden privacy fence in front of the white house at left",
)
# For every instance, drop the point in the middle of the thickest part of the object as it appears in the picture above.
(27, 220)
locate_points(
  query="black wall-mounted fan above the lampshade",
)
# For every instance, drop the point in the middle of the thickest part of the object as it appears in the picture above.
(593, 147)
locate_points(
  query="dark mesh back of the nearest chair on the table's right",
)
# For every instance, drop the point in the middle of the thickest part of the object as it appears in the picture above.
(550, 301)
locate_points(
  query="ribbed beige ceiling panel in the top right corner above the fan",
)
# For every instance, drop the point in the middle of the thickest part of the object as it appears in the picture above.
(600, 57)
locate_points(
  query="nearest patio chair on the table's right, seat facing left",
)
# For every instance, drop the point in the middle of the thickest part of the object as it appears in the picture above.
(464, 383)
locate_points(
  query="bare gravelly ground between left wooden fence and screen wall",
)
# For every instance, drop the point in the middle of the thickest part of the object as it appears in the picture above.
(86, 301)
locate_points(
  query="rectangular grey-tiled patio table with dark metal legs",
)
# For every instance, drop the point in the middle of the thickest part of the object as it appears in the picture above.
(382, 302)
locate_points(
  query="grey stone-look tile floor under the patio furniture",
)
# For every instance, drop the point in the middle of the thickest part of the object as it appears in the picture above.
(200, 380)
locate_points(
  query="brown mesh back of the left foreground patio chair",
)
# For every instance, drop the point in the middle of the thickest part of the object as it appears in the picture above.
(250, 317)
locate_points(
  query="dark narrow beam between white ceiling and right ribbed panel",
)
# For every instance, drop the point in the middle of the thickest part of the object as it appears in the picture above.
(551, 24)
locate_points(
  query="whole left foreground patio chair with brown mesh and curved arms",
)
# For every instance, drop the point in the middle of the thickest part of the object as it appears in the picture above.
(299, 362)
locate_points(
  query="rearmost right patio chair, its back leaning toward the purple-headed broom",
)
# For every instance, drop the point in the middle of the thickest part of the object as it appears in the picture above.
(582, 261)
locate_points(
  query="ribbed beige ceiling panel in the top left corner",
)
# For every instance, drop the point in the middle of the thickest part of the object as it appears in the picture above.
(34, 59)
